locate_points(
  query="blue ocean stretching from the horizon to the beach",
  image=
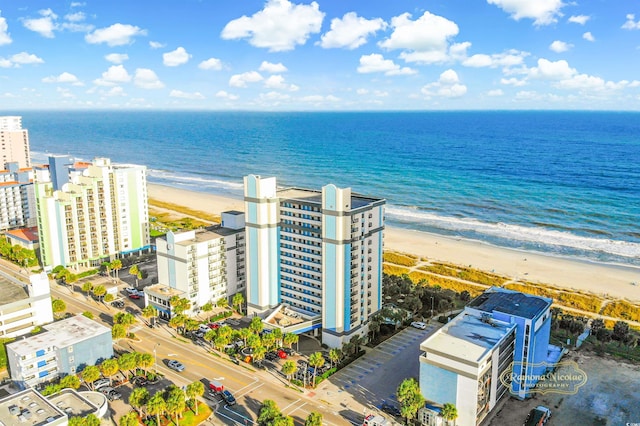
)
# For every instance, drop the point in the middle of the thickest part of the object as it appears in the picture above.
(561, 183)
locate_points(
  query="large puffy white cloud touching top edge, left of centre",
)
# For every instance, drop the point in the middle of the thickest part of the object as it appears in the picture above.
(280, 26)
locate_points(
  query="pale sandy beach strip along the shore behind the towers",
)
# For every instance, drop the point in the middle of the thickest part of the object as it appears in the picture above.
(612, 280)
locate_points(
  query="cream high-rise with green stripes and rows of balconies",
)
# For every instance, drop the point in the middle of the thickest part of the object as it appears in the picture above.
(90, 213)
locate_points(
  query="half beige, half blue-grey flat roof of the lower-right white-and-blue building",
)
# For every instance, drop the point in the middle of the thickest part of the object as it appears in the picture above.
(467, 337)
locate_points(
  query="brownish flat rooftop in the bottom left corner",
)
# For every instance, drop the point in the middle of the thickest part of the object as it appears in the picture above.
(28, 408)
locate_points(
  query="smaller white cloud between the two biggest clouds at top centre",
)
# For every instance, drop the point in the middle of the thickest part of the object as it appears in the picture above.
(351, 31)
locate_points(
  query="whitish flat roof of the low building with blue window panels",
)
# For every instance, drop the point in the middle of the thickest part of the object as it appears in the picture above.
(60, 334)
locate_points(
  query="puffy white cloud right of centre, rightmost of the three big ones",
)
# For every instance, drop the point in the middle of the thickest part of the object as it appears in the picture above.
(427, 33)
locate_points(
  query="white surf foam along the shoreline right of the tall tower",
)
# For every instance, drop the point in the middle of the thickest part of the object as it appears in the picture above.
(516, 232)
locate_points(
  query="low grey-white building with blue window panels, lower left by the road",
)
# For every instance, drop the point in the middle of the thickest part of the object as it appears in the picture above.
(65, 347)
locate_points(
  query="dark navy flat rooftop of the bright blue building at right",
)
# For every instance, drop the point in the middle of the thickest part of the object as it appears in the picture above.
(511, 302)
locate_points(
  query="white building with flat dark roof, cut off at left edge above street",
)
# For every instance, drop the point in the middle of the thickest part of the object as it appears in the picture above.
(24, 306)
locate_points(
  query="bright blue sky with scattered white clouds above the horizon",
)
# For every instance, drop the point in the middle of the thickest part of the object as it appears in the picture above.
(321, 55)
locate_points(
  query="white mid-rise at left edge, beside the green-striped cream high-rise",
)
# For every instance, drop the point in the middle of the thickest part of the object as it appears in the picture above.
(17, 197)
